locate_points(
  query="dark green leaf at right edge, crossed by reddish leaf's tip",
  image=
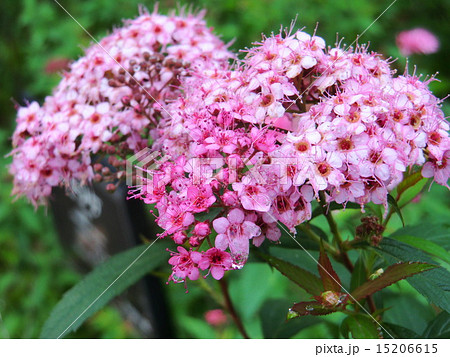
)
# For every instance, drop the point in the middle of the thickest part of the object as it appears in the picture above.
(433, 284)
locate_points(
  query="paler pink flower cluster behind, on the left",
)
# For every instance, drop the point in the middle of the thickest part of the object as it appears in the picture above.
(100, 109)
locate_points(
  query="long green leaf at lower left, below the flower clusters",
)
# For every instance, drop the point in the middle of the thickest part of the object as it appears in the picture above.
(101, 285)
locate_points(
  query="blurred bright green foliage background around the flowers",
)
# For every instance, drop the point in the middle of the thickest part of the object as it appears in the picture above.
(37, 38)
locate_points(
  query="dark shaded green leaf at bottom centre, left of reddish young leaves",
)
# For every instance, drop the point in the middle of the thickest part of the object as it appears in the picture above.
(273, 320)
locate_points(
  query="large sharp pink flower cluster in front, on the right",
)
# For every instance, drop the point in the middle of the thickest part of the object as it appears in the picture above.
(255, 144)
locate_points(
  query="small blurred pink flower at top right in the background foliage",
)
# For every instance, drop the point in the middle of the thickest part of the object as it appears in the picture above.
(417, 40)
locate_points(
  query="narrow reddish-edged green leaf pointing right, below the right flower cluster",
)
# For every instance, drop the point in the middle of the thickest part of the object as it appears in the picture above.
(392, 274)
